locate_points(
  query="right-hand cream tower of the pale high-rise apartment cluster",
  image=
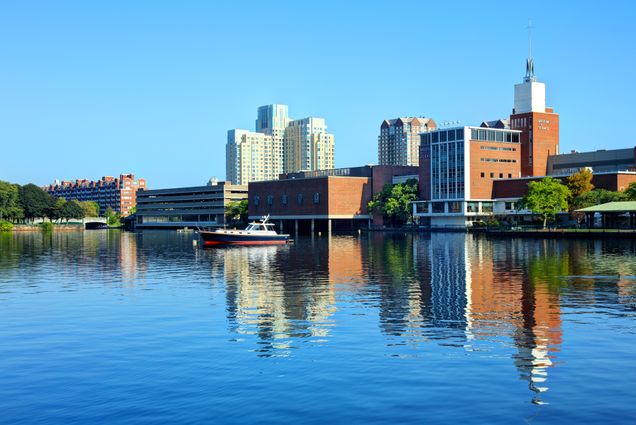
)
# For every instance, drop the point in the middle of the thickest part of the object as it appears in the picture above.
(308, 146)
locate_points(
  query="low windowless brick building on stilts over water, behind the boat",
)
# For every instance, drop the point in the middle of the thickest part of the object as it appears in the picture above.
(324, 199)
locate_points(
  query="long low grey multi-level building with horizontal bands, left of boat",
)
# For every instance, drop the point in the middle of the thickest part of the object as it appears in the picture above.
(199, 206)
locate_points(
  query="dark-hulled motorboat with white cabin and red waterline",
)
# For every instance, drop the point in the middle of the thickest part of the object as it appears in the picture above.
(256, 233)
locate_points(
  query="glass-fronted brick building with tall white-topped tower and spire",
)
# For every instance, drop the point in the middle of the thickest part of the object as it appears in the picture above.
(458, 166)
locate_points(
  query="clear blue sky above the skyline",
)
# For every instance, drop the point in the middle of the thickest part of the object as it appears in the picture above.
(98, 88)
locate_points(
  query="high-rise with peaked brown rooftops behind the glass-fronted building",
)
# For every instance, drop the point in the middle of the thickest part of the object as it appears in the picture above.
(399, 140)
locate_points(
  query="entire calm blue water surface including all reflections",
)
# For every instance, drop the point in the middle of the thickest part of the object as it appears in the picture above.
(113, 327)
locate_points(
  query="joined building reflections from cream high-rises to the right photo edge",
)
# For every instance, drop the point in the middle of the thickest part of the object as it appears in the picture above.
(455, 290)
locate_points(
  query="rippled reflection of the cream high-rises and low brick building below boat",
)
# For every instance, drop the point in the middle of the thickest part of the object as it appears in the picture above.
(284, 294)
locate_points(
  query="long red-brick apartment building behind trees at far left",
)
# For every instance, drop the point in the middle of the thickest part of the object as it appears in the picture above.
(120, 194)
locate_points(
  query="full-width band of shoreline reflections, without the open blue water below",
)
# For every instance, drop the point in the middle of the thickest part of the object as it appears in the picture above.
(464, 293)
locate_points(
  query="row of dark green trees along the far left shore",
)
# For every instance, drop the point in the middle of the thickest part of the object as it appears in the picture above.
(24, 204)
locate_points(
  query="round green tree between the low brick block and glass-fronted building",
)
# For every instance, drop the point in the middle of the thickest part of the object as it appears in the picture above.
(394, 201)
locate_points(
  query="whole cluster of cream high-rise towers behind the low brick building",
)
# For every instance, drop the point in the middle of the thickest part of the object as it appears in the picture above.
(279, 145)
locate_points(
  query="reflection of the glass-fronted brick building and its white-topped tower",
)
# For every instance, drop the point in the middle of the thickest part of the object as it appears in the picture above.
(469, 290)
